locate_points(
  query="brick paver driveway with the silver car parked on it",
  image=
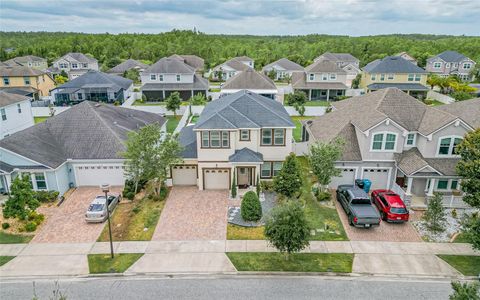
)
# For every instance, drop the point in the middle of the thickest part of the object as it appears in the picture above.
(66, 224)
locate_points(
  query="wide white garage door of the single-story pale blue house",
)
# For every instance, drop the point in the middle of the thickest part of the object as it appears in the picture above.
(96, 175)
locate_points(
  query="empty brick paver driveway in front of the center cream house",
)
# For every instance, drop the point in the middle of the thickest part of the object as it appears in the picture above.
(190, 214)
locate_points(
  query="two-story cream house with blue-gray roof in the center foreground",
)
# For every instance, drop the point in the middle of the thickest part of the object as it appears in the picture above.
(243, 134)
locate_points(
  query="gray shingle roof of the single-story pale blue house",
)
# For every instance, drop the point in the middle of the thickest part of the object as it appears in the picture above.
(86, 131)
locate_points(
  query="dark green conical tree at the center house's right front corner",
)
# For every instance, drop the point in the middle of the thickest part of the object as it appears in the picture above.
(288, 181)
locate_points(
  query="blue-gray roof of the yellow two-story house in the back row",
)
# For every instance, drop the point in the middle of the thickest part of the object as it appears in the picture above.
(392, 64)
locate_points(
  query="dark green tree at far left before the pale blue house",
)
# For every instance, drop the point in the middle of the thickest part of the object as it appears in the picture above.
(22, 199)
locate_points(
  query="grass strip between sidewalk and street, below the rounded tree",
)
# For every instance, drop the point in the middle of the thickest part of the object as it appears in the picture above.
(297, 262)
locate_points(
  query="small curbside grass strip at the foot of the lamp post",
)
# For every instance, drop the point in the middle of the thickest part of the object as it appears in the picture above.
(102, 263)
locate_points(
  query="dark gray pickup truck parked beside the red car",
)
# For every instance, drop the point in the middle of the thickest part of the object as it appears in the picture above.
(358, 206)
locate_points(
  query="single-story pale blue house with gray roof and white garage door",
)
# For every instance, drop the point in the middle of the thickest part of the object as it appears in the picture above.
(78, 147)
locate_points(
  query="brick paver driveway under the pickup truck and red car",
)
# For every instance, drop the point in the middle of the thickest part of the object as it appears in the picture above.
(385, 232)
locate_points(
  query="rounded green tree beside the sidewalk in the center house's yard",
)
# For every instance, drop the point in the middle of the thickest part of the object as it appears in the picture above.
(287, 229)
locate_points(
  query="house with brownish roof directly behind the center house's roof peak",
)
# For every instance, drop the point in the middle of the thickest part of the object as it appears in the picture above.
(251, 80)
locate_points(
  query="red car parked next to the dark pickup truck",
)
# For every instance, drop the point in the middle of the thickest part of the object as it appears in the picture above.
(390, 205)
